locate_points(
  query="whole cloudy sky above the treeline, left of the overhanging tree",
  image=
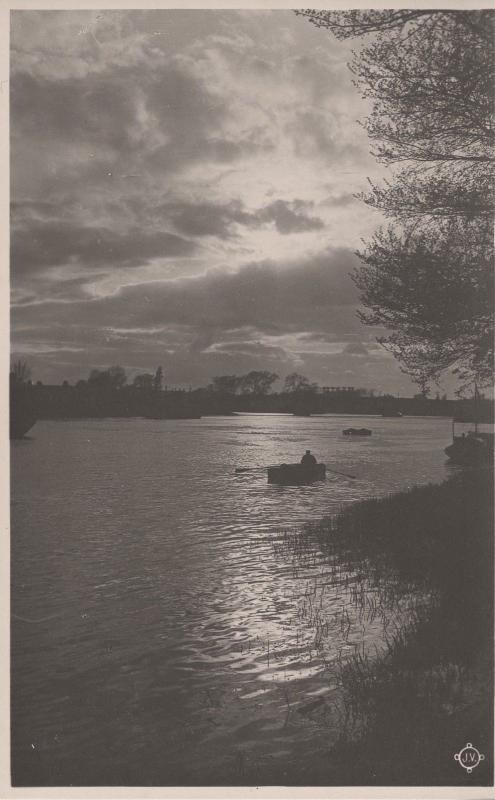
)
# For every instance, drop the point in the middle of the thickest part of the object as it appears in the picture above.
(182, 194)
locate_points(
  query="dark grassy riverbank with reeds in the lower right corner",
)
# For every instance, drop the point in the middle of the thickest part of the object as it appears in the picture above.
(406, 712)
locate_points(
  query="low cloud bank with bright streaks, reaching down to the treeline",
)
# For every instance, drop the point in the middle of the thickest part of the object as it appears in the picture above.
(217, 323)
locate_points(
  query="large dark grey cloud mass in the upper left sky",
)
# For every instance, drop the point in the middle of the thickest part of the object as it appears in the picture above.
(152, 113)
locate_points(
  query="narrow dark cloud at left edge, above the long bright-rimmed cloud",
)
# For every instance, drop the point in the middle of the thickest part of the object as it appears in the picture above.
(36, 245)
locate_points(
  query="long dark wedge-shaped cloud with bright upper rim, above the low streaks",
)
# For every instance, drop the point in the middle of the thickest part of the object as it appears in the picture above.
(268, 296)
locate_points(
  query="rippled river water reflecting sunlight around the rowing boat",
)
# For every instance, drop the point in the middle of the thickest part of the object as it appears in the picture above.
(160, 633)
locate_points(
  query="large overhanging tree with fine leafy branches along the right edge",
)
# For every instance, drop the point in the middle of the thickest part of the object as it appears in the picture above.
(427, 277)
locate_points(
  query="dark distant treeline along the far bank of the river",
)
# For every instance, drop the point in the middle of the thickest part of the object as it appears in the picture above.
(107, 393)
